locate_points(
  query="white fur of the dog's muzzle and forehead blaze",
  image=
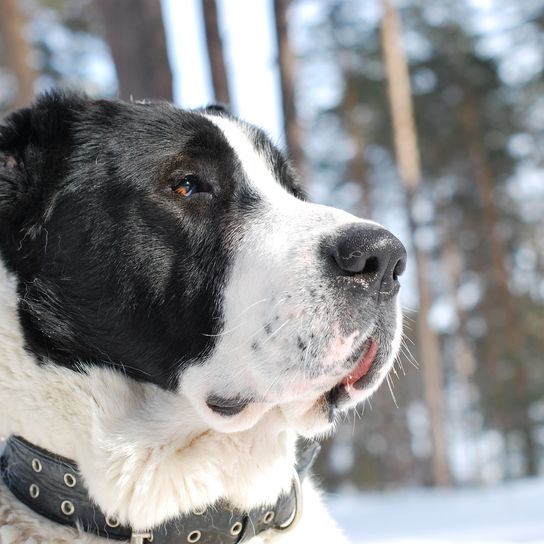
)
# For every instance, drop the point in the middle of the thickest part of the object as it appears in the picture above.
(273, 274)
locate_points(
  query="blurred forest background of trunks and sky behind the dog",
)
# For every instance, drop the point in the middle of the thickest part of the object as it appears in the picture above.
(426, 116)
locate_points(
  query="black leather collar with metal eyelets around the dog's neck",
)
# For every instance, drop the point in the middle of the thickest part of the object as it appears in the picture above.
(52, 486)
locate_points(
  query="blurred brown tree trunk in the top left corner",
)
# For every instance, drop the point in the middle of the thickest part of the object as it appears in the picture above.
(18, 50)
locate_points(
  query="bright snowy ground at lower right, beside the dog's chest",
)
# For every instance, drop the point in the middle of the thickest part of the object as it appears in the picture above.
(510, 513)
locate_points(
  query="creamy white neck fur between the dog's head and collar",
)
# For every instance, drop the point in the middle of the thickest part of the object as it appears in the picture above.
(144, 453)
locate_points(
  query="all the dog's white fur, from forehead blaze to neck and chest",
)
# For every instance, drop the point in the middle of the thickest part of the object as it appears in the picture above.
(147, 454)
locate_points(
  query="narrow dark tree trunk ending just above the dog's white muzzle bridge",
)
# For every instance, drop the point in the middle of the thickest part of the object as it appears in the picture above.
(287, 67)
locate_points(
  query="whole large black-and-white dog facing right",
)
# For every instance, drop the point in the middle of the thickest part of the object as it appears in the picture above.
(175, 318)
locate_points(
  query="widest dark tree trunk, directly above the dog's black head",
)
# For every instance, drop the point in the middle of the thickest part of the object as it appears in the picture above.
(135, 33)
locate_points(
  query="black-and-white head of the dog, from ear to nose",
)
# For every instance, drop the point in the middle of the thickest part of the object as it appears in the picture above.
(177, 247)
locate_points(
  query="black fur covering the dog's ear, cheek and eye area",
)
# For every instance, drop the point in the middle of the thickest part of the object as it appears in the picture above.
(113, 267)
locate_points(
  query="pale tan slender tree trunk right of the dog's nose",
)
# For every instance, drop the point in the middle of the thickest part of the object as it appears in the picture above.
(407, 155)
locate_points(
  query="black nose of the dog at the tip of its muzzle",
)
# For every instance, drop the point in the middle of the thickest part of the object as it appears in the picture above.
(371, 253)
